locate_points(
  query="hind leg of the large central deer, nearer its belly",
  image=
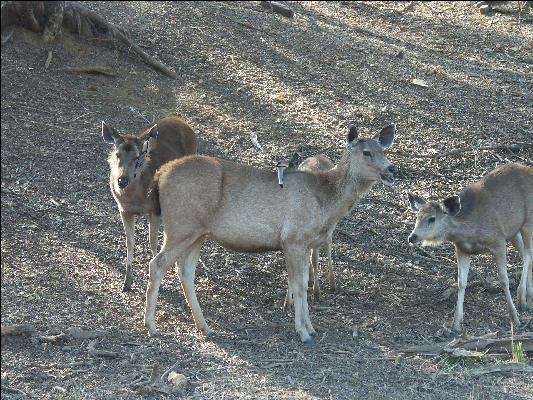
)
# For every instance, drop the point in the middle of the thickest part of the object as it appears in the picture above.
(186, 272)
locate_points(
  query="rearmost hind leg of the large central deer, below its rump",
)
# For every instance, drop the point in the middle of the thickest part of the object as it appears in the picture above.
(159, 265)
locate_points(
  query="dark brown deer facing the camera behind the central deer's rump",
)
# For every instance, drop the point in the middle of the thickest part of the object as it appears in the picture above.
(133, 162)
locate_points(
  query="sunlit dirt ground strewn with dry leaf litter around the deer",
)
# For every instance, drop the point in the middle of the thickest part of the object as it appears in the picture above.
(297, 83)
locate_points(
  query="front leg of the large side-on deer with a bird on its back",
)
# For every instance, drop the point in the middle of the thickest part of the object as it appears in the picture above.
(298, 271)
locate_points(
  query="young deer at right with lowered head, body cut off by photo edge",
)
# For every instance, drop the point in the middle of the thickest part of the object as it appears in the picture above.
(482, 219)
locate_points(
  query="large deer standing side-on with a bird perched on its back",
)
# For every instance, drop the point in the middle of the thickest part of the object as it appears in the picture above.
(243, 208)
